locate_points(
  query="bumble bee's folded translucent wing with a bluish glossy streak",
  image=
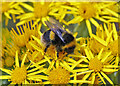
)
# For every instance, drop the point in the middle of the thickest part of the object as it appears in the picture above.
(55, 29)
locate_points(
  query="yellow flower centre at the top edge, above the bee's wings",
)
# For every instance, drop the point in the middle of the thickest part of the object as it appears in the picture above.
(41, 10)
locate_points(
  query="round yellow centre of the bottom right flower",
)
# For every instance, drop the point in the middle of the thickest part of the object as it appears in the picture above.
(95, 64)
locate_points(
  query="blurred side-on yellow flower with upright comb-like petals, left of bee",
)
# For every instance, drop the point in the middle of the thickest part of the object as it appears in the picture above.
(21, 39)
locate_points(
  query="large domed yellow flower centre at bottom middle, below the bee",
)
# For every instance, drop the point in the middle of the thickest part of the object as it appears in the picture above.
(59, 76)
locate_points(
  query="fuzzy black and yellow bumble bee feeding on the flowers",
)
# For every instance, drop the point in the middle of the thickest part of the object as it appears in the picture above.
(58, 37)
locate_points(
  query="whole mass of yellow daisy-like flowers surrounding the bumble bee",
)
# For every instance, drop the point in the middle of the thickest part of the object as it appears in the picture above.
(23, 55)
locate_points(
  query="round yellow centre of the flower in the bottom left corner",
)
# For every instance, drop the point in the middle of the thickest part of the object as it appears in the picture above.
(19, 75)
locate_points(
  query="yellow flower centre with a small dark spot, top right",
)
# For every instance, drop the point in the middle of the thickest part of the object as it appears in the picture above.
(87, 10)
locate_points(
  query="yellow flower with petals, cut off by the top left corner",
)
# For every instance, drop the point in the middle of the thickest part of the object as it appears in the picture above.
(11, 8)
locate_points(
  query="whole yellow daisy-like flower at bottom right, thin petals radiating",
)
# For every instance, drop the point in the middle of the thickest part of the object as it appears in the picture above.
(96, 65)
